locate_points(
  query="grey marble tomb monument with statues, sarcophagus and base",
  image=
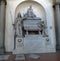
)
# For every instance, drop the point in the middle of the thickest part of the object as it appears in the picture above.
(30, 33)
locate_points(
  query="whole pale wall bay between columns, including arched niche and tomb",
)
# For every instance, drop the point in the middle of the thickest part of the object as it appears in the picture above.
(29, 27)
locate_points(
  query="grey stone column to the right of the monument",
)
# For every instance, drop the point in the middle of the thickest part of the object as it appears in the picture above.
(57, 15)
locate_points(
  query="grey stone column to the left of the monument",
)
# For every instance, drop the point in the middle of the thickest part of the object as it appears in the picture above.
(2, 26)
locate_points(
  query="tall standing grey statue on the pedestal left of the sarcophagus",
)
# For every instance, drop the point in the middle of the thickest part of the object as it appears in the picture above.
(18, 26)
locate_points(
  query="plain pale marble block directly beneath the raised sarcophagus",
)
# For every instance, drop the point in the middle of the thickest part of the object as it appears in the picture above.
(33, 43)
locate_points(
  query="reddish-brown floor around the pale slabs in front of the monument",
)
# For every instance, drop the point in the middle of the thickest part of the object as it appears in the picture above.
(43, 57)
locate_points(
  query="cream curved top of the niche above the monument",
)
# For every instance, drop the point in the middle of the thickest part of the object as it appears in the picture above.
(40, 8)
